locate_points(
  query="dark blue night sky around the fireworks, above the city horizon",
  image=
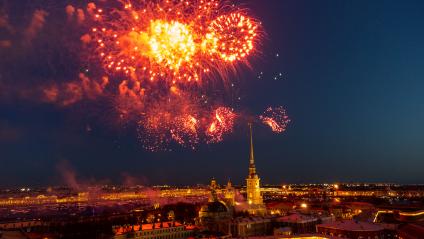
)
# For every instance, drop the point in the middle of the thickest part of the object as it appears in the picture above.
(351, 81)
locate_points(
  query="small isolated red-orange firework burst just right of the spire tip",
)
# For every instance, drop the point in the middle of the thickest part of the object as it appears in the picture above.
(275, 118)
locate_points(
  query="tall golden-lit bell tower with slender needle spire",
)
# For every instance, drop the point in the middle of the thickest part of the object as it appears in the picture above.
(253, 189)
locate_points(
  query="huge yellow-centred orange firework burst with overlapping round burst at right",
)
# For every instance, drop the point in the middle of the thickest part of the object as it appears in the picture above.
(173, 40)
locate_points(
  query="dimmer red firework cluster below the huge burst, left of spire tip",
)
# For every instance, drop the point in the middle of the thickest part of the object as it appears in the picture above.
(184, 122)
